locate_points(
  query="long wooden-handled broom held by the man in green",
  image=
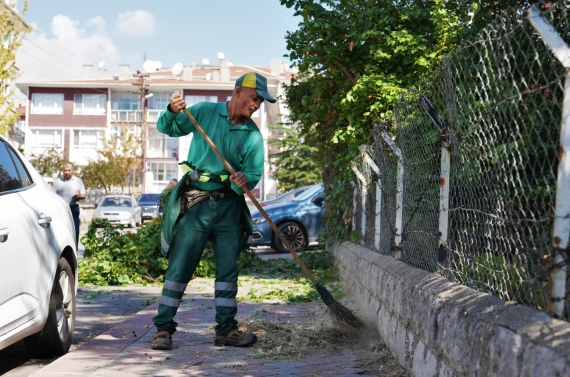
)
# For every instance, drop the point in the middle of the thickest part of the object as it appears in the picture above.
(342, 317)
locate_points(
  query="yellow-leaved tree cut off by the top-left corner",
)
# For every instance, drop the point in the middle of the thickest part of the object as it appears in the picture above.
(12, 32)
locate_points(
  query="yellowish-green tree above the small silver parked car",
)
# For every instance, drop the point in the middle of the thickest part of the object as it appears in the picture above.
(118, 155)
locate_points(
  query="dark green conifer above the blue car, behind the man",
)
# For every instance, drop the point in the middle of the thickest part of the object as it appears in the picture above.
(295, 164)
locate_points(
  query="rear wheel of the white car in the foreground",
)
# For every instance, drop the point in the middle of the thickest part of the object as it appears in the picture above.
(56, 336)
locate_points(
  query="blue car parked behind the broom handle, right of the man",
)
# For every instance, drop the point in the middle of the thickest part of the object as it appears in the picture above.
(299, 220)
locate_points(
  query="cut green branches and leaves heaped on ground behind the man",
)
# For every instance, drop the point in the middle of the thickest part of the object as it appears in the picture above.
(116, 257)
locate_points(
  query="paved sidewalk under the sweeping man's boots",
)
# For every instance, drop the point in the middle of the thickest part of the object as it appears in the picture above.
(125, 349)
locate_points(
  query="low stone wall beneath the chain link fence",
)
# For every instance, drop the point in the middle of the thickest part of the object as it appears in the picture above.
(439, 328)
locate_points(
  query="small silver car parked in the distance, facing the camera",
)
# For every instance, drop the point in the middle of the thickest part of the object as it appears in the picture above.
(119, 209)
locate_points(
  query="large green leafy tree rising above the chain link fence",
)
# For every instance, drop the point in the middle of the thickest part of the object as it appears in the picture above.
(355, 59)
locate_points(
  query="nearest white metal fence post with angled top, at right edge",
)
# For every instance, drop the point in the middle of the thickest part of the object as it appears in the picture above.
(561, 230)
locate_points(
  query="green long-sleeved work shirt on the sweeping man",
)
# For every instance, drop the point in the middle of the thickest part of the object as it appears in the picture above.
(241, 145)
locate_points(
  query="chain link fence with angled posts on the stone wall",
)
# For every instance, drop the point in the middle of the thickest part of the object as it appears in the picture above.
(462, 179)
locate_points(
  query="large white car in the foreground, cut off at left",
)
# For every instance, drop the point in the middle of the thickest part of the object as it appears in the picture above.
(38, 263)
